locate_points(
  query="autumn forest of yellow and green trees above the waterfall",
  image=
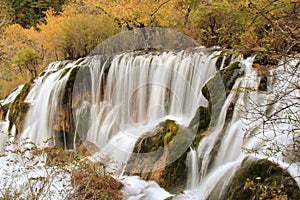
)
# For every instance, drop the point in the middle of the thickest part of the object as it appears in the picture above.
(37, 32)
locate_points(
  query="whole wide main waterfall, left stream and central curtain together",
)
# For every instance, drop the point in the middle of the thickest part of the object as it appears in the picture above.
(116, 99)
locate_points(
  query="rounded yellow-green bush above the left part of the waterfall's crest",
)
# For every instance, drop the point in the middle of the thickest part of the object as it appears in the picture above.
(80, 34)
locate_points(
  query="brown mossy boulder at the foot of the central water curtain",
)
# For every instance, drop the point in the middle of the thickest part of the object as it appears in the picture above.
(160, 155)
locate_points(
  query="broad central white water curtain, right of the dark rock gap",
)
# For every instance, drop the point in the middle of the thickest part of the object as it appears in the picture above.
(141, 91)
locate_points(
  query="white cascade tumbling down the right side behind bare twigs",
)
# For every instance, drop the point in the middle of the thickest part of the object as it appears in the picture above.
(247, 116)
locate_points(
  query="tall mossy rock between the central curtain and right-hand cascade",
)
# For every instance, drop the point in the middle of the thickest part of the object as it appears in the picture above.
(215, 91)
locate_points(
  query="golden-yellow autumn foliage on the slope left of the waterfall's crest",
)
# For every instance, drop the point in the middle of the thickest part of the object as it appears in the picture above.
(77, 30)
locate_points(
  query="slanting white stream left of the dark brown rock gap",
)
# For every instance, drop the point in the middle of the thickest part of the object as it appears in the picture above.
(44, 98)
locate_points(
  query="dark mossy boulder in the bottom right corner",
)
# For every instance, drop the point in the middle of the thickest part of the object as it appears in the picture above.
(262, 179)
